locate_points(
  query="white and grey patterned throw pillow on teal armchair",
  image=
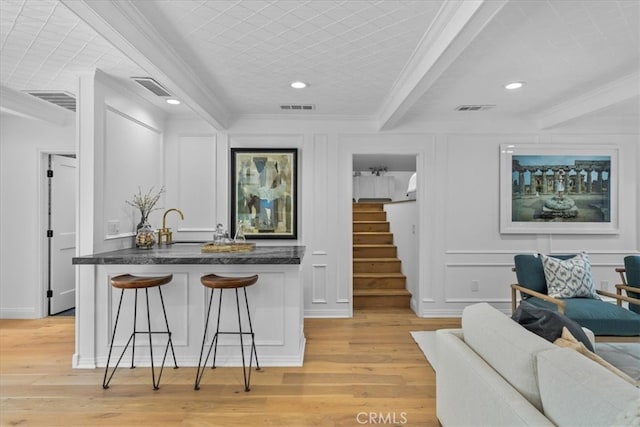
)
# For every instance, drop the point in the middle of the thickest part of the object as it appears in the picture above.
(571, 278)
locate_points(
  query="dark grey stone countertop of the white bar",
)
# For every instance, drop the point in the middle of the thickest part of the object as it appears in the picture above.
(190, 253)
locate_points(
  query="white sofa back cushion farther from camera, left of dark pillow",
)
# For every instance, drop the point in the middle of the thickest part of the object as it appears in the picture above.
(505, 345)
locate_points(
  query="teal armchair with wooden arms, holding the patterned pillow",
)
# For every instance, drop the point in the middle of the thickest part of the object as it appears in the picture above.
(608, 321)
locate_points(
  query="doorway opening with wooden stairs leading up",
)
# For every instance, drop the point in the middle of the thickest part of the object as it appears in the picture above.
(380, 278)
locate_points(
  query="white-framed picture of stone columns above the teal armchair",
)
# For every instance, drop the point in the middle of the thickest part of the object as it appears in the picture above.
(558, 189)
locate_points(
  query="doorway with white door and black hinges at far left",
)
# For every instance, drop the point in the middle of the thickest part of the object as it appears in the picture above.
(59, 219)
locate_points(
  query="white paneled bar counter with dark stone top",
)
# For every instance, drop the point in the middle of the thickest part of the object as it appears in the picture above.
(276, 303)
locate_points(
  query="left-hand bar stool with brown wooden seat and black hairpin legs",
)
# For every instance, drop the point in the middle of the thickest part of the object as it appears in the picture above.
(128, 281)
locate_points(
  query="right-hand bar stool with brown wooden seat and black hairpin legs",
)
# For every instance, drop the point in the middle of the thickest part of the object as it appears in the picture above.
(214, 282)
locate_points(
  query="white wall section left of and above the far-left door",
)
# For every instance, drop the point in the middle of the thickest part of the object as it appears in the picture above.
(22, 159)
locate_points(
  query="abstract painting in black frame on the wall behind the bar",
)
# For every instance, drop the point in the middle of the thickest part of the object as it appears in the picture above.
(264, 197)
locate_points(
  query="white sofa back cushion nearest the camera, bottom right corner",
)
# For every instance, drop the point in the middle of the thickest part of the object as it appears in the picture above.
(576, 391)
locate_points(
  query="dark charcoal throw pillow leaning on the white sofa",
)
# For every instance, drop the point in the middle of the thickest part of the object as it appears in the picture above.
(548, 324)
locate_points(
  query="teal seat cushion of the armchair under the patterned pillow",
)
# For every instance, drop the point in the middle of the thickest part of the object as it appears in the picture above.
(603, 318)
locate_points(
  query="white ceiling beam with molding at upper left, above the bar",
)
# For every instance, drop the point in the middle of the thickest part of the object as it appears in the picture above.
(139, 31)
